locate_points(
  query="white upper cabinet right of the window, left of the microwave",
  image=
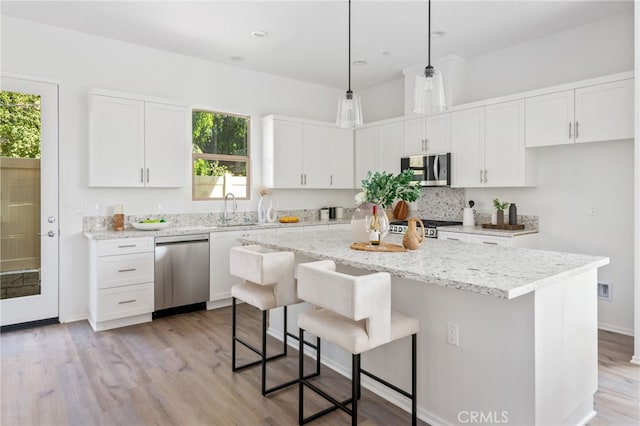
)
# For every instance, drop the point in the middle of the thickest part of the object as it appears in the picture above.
(300, 154)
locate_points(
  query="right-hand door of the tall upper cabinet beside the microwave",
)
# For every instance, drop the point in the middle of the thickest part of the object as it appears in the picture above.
(504, 149)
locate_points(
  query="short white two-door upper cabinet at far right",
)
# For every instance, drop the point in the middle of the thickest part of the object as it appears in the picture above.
(592, 113)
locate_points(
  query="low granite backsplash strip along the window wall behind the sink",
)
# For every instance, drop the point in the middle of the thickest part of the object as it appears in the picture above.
(102, 223)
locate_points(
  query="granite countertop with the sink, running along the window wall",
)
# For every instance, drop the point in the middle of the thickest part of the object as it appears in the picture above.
(130, 232)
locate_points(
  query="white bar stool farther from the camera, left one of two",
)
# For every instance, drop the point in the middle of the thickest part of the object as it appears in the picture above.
(268, 283)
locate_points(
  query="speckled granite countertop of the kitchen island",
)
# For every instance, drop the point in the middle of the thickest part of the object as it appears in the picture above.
(499, 271)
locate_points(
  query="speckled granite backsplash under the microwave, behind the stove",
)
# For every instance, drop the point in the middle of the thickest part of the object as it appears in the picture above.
(439, 204)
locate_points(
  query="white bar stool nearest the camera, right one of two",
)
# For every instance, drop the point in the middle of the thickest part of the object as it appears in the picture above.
(354, 313)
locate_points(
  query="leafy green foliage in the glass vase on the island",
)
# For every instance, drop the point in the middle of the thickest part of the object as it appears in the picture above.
(384, 188)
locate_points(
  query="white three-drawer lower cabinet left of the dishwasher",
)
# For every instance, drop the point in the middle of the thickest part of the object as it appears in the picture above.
(121, 282)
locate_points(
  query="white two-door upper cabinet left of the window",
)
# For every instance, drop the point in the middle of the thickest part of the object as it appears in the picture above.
(134, 143)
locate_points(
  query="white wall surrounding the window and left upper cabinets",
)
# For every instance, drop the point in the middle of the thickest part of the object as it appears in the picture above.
(81, 62)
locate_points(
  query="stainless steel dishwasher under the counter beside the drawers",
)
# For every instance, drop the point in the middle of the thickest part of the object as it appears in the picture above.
(181, 272)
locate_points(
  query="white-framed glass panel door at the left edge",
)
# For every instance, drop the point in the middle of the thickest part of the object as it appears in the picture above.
(28, 200)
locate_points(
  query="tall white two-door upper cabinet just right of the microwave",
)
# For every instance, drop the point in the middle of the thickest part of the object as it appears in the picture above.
(488, 147)
